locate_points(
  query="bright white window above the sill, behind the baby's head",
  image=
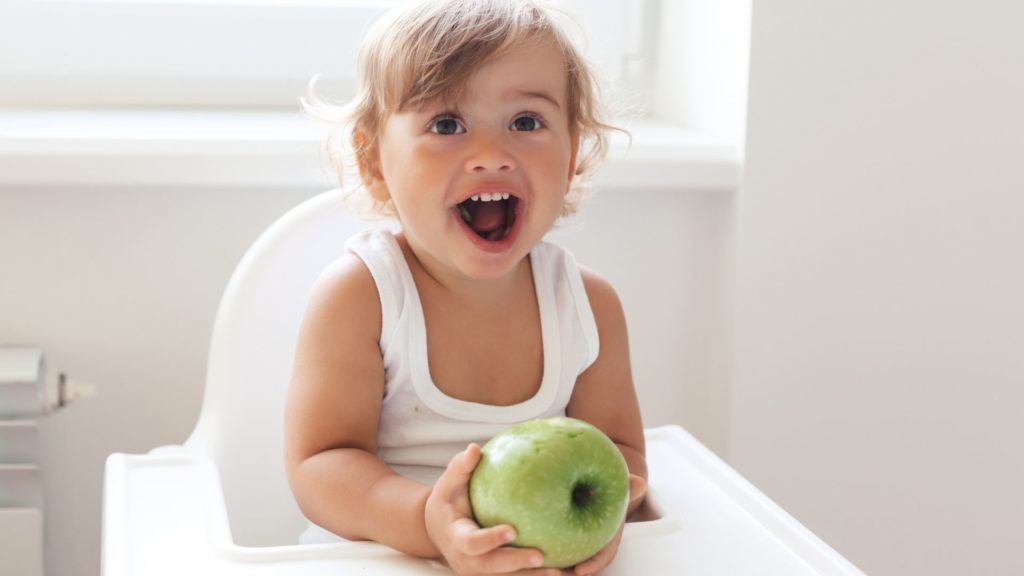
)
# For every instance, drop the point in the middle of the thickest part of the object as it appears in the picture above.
(258, 54)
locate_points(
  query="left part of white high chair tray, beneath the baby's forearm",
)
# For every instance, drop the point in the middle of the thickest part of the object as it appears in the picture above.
(164, 514)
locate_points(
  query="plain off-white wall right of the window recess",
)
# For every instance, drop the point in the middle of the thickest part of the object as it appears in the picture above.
(880, 319)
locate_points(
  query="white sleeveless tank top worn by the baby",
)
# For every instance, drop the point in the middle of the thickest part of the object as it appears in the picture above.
(421, 428)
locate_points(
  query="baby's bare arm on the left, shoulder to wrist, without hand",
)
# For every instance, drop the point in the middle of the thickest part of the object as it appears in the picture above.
(332, 415)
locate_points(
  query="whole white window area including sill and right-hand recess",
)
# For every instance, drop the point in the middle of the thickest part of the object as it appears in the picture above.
(190, 93)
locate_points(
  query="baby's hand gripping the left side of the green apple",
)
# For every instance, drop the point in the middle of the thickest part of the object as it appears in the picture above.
(468, 549)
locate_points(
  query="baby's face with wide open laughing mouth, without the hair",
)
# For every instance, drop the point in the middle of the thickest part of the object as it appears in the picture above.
(508, 135)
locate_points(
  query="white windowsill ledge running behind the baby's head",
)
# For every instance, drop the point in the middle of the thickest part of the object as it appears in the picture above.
(284, 150)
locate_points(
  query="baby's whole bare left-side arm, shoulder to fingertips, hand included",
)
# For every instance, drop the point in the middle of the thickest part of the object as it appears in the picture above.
(331, 421)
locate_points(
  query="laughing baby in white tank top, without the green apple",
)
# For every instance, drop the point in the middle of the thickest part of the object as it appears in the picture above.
(475, 127)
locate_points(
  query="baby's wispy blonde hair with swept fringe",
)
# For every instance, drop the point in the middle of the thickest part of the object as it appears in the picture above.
(428, 51)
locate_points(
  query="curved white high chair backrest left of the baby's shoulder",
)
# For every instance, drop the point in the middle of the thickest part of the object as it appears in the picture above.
(250, 364)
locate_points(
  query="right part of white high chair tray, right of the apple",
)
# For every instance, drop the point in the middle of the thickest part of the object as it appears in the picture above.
(726, 525)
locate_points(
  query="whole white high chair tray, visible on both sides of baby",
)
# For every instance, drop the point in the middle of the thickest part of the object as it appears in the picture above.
(164, 514)
